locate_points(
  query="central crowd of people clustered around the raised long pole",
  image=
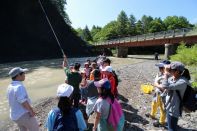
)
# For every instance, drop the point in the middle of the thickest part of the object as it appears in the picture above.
(93, 86)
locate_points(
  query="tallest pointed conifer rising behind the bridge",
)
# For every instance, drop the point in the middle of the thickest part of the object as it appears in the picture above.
(123, 24)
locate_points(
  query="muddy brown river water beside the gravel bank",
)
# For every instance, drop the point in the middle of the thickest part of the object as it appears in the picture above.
(41, 81)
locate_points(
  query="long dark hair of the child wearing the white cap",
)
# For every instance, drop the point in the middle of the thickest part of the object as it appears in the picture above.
(64, 105)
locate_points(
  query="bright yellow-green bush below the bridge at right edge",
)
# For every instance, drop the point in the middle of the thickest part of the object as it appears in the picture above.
(186, 55)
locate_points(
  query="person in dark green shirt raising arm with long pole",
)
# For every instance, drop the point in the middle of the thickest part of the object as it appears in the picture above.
(74, 78)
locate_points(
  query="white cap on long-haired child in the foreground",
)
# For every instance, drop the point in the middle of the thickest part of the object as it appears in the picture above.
(64, 90)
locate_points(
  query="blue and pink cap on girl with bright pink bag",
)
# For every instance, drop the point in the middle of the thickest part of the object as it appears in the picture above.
(103, 83)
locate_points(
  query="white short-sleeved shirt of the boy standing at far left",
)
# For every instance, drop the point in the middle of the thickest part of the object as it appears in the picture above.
(17, 94)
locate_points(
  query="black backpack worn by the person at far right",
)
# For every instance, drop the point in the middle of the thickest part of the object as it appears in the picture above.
(189, 101)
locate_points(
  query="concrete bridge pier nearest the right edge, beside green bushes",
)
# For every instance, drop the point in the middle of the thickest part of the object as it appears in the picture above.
(170, 49)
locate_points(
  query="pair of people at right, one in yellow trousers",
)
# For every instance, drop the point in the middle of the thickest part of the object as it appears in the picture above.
(173, 78)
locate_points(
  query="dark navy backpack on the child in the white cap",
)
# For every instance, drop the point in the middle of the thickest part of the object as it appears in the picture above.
(67, 123)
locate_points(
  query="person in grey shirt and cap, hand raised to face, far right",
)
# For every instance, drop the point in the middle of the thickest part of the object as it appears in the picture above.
(178, 82)
